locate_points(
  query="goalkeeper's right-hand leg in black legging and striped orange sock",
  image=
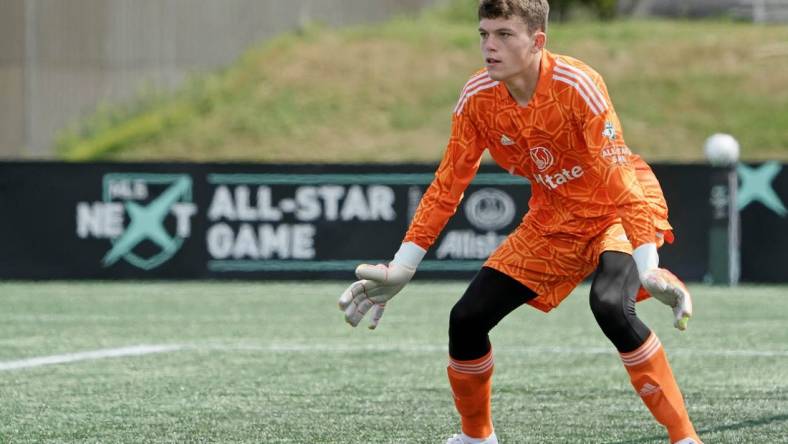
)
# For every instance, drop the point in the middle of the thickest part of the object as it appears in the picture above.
(613, 303)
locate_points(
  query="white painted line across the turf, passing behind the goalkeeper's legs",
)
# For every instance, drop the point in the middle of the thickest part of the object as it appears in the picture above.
(139, 350)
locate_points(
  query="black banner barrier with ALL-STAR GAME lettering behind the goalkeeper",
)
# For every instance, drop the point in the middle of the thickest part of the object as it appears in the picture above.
(250, 221)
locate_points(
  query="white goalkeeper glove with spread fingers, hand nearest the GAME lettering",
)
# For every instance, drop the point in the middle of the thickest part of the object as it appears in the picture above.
(379, 283)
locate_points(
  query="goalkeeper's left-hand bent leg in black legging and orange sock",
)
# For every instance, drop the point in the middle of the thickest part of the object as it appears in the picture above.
(489, 298)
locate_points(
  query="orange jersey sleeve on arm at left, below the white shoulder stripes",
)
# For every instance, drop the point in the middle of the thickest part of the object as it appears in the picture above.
(457, 169)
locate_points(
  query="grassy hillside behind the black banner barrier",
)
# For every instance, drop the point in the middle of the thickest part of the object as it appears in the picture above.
(384, 93)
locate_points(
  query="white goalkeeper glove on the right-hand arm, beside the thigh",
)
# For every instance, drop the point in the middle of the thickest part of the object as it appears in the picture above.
(662, 284)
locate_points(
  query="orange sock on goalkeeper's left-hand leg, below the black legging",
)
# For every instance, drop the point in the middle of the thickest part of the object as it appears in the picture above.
(471, 384)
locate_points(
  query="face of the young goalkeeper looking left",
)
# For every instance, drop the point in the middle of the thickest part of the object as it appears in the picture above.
(508, 48)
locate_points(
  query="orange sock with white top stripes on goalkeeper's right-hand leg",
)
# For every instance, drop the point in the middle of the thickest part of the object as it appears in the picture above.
(653, 380)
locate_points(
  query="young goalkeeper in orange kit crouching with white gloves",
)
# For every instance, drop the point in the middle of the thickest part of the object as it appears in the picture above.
(595, 206)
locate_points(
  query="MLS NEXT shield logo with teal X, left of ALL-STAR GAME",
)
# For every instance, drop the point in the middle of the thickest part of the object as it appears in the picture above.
(146, 217)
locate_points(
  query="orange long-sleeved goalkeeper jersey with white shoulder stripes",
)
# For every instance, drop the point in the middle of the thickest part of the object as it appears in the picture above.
(567, 142)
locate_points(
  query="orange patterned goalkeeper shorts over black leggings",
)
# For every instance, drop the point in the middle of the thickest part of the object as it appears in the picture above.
(553, 265)
